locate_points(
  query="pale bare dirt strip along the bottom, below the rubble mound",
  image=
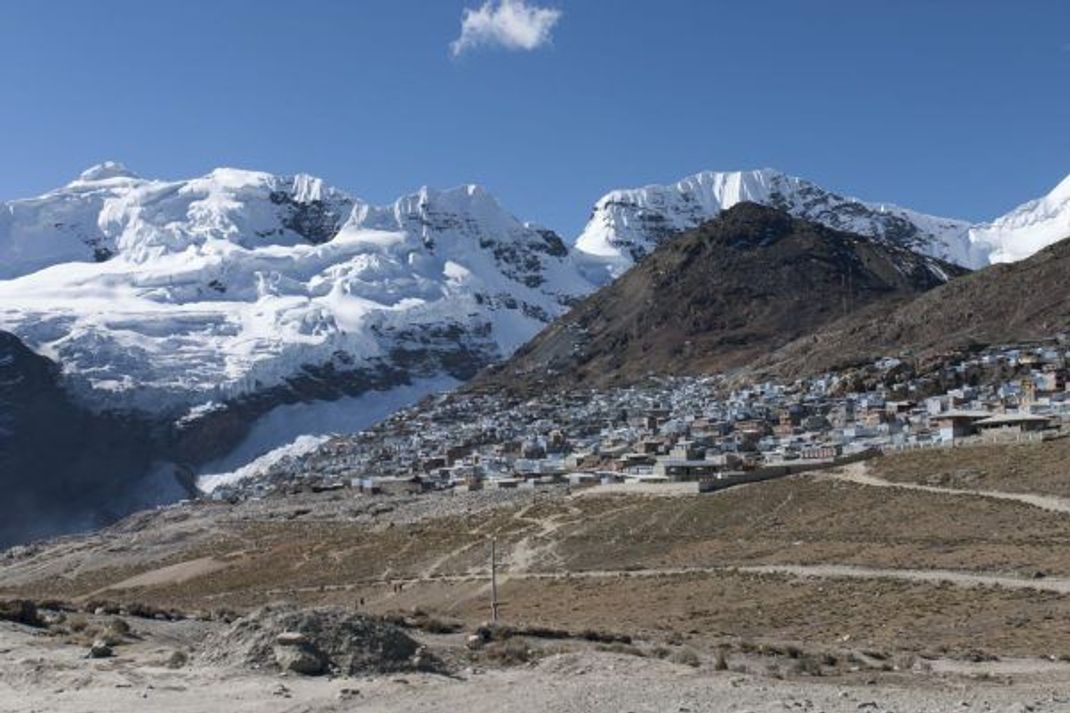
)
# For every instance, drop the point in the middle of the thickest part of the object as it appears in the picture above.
(40, 675)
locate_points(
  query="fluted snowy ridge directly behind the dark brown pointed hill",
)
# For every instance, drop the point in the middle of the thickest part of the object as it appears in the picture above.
(626, 225)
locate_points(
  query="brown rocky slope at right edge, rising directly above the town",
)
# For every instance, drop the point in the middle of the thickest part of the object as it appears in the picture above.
(1003, 304)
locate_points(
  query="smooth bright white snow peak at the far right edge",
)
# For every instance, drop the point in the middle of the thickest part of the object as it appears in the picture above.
(1028, 229)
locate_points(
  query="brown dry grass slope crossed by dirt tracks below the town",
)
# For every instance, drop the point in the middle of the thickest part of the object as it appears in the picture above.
(800, 521)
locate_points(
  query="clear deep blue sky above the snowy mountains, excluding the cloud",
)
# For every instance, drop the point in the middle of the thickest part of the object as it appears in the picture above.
(960, 109)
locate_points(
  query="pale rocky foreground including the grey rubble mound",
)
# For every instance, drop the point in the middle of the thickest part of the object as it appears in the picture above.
(249, 665)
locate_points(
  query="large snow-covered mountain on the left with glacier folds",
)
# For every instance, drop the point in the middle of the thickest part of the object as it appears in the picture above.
(162, 295)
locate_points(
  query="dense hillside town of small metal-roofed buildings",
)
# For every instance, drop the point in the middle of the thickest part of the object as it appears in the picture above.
(694, 433)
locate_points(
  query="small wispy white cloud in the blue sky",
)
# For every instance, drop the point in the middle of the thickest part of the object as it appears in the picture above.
(509, 24)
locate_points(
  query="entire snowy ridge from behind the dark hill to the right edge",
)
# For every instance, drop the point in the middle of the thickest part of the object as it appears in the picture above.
(628, 225)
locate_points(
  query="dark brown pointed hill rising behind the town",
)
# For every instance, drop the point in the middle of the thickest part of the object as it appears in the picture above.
(717, 297)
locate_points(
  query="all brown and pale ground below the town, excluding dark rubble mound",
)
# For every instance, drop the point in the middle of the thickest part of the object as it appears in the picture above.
(823, 594)
